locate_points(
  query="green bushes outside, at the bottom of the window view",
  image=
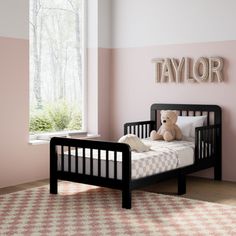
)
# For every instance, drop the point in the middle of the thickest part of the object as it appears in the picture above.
(53, 117)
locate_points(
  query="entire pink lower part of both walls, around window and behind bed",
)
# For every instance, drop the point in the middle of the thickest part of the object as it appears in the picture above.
(124, 85)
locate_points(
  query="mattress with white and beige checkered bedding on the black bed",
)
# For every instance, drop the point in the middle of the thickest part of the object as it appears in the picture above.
(163, 156)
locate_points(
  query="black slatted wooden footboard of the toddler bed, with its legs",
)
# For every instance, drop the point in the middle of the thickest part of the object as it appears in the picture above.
(65, 151)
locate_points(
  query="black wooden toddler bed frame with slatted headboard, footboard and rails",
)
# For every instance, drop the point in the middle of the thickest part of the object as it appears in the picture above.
(92, 159)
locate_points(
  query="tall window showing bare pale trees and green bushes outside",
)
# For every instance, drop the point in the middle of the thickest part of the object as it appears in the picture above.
(57, 62)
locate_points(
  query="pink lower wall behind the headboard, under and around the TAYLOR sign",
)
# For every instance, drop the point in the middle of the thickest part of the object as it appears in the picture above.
(133, 90)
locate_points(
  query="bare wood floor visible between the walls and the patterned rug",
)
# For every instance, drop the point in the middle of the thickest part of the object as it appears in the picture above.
(197, 188)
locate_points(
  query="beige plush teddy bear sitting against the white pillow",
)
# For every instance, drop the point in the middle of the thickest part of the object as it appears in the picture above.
(168, 130)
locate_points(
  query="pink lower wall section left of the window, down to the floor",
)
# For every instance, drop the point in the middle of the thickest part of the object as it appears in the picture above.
(19, 161)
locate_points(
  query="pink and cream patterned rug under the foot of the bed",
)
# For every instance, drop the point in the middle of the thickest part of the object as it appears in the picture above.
(87, 210)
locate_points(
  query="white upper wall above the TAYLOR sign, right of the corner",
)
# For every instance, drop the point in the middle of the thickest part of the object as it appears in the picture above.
(137, 23)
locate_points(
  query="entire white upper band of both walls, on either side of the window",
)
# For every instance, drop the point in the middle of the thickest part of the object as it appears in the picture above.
(135, 23)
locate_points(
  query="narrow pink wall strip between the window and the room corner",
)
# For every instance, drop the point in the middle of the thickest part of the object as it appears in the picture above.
(99, 71)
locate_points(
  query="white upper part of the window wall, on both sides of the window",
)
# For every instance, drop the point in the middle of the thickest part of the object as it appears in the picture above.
(14, 21)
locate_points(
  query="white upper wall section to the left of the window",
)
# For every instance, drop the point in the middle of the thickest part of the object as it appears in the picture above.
(14, 17)
